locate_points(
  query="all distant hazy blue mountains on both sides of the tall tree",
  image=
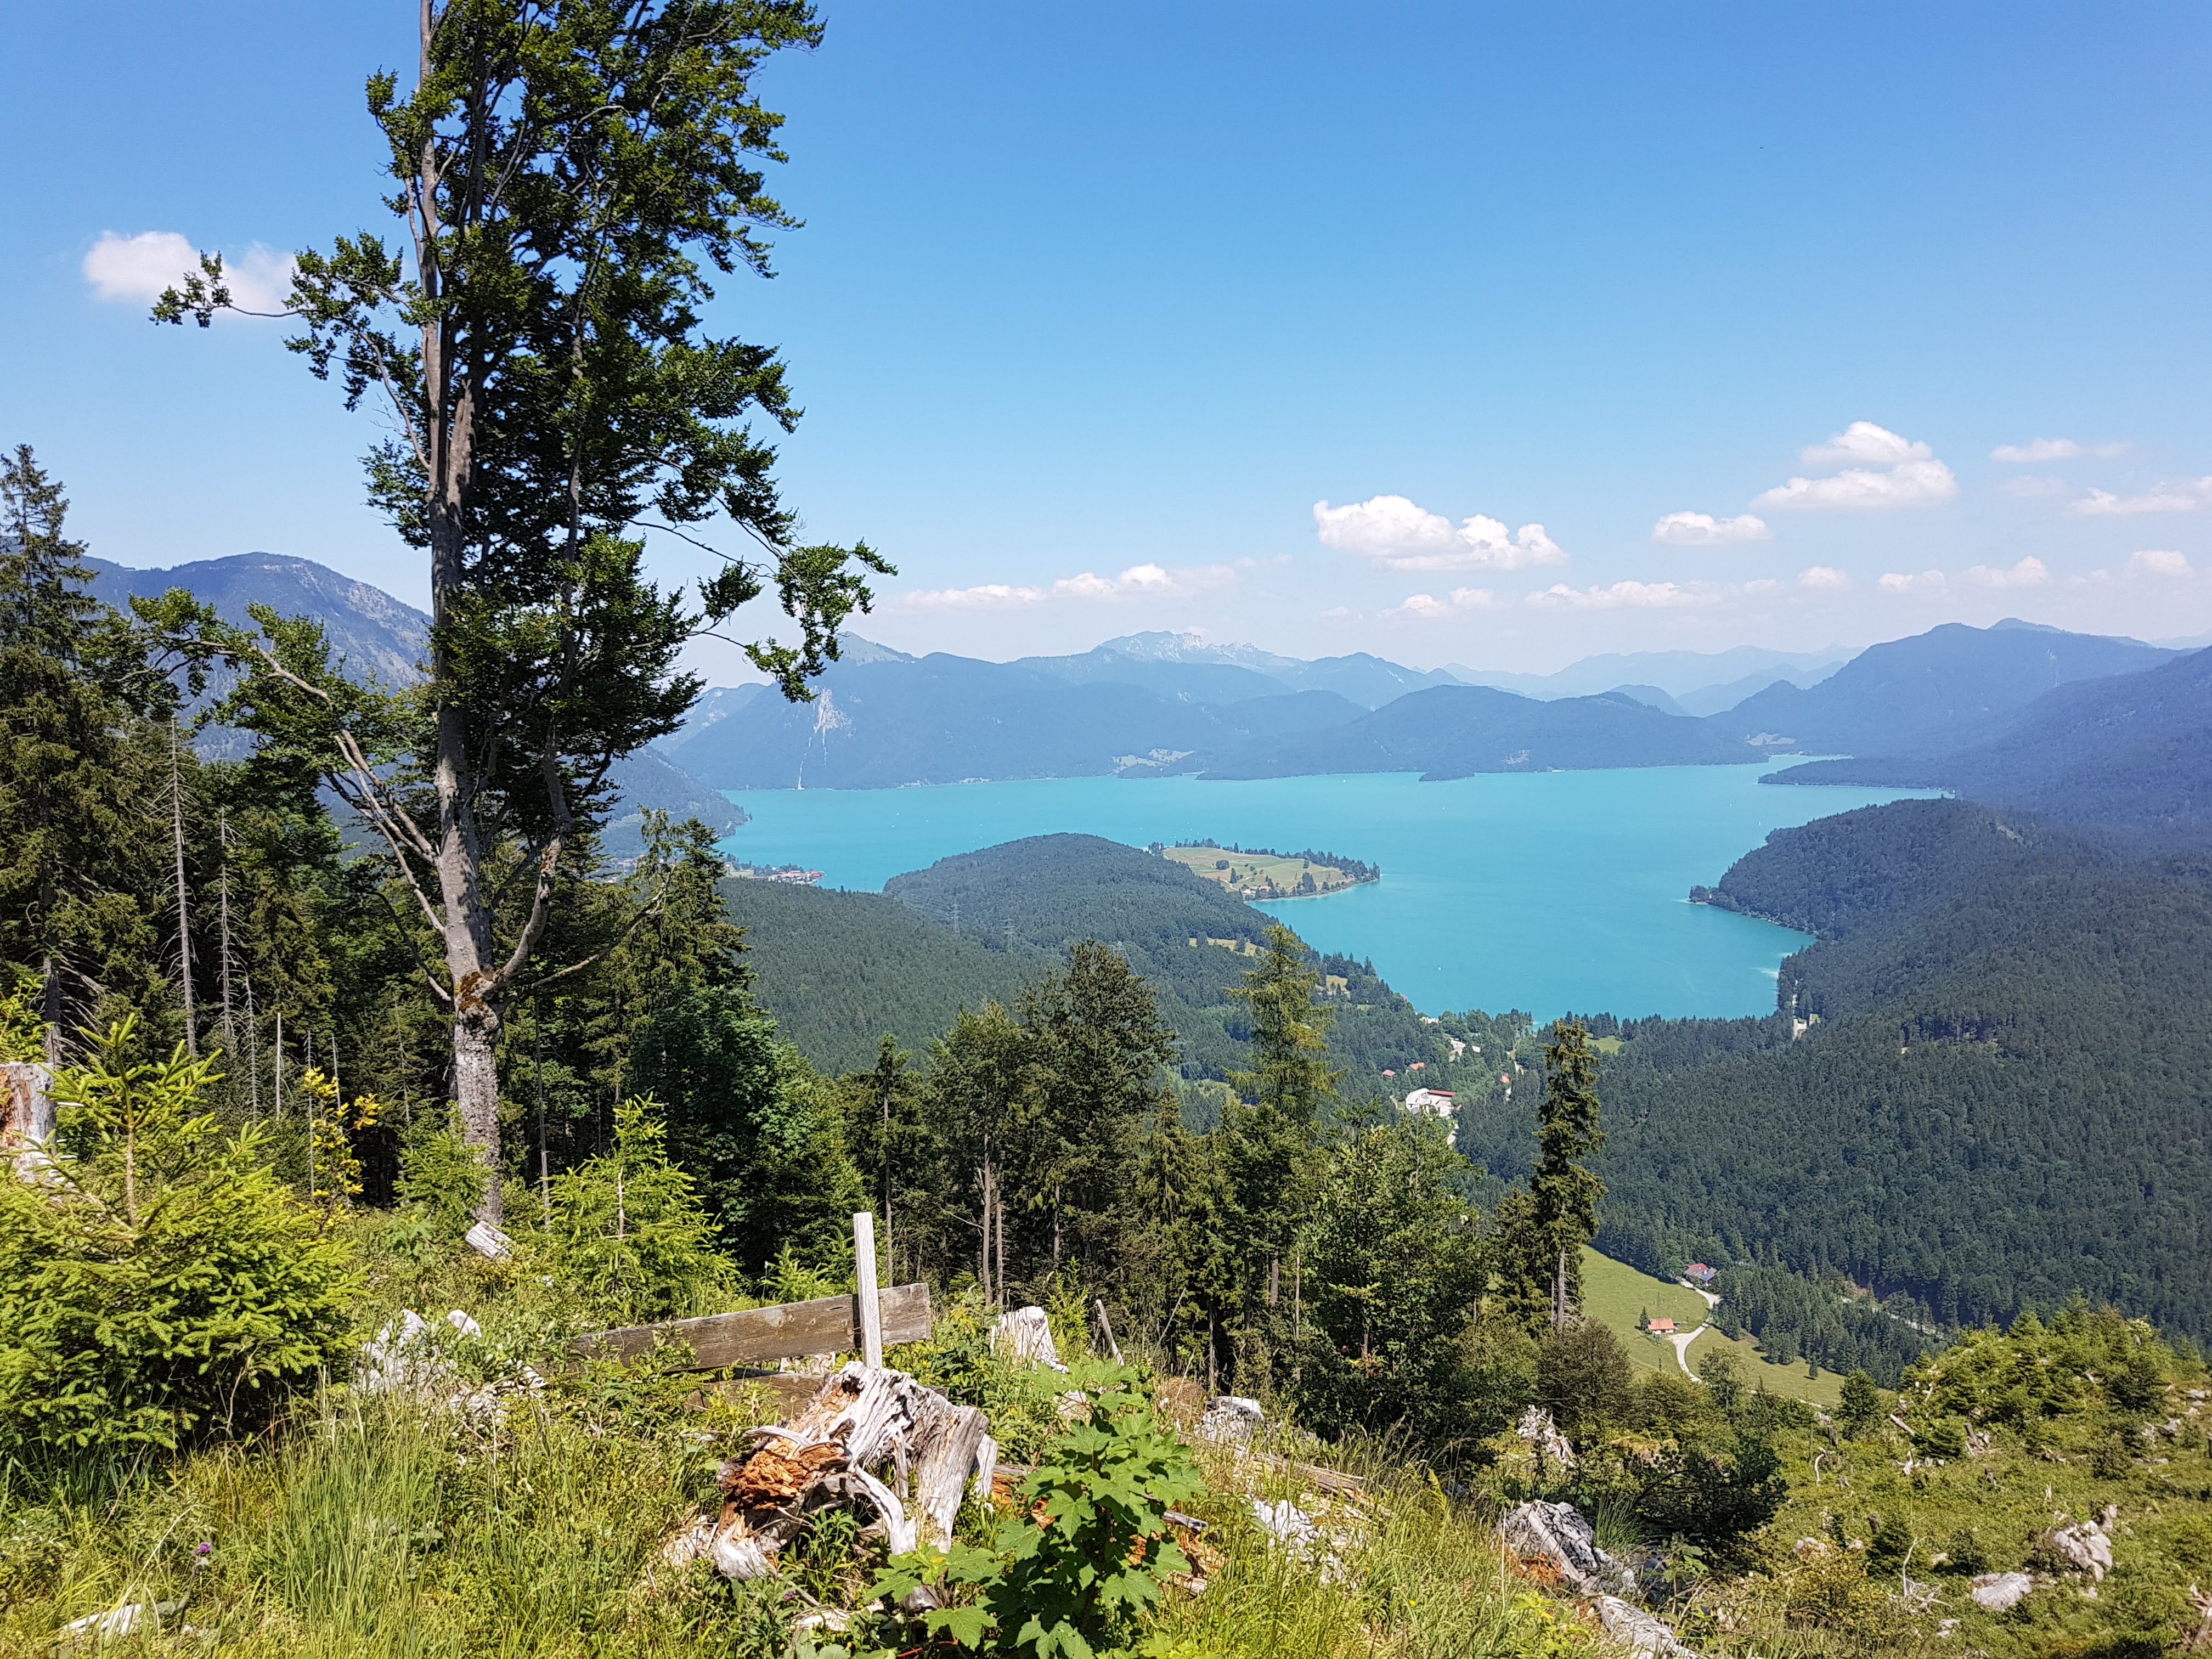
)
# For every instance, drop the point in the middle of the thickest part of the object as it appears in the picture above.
(2007, 713)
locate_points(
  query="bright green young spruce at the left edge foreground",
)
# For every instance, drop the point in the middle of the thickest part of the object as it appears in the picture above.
(156, 1277)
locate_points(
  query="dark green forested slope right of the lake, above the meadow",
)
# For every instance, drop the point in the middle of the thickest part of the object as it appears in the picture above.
(2007, 1094)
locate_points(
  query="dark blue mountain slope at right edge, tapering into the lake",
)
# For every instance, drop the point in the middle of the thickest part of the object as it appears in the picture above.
(2129, 755)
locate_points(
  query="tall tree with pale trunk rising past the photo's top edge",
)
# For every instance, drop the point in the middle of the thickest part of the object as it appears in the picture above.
(570, 178)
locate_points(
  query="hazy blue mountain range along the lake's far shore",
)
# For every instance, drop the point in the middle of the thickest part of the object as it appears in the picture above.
(1158, 705)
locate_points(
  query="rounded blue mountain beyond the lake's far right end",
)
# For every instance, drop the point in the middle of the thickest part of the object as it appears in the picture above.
(1937, 691)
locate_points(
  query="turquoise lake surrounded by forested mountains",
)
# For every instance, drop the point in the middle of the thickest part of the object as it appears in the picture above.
(1543, 893)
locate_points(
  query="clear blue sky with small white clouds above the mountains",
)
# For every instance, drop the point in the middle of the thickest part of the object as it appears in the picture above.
(1386, 328)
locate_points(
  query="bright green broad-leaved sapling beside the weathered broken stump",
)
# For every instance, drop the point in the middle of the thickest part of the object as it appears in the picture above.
(1089, 1550)
